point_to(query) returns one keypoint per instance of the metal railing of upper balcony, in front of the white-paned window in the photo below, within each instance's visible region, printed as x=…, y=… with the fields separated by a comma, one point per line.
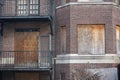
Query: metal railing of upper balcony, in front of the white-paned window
x=25, y=8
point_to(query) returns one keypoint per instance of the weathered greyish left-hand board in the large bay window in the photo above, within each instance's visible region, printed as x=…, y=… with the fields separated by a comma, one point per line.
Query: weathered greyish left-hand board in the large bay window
x=84, y=39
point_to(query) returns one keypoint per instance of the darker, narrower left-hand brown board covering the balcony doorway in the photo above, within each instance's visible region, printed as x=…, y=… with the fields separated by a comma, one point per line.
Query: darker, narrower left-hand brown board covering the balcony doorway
x=18, y=46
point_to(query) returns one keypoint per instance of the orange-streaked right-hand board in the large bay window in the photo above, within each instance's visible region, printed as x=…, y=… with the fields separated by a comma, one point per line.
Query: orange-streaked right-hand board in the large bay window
x=98, y=41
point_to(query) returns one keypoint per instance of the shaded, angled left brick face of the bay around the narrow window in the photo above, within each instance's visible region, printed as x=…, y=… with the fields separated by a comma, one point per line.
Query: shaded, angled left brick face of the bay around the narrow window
x=63, y=19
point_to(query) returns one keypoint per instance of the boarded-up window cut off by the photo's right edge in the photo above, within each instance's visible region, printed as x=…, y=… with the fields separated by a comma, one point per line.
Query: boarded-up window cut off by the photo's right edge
x=118, y=39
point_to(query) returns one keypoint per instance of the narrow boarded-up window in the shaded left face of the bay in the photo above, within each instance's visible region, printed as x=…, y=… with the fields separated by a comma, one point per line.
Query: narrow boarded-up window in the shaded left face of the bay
x=63, y=39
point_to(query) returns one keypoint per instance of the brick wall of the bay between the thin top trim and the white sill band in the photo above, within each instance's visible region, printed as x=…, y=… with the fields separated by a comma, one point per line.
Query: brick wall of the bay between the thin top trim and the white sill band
x=73, y=15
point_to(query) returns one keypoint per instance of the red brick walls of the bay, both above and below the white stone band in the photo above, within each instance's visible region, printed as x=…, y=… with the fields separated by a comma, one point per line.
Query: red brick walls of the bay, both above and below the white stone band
x=71, y=15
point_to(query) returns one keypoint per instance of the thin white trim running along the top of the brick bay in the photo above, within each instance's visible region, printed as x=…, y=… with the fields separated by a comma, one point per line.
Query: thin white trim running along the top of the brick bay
x=86, y=3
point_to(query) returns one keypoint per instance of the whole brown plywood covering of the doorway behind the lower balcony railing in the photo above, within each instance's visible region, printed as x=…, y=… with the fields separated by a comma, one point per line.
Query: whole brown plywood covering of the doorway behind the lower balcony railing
x=26, y=47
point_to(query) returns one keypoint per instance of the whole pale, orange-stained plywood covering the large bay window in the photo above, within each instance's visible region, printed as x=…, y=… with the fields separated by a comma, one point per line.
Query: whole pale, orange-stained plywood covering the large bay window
x=91, y=39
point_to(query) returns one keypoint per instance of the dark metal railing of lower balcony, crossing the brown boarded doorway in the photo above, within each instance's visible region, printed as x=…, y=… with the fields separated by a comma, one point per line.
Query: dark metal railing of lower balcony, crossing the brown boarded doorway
x=25, y=60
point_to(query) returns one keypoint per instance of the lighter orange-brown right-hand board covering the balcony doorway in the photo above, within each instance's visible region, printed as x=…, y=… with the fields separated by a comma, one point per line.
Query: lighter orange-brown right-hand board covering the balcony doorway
x=31, y=44
